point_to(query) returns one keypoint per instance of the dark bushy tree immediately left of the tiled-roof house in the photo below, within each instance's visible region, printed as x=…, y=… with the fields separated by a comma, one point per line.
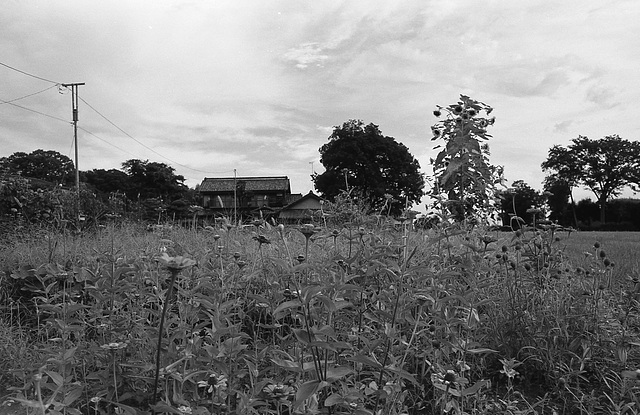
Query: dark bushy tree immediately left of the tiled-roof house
x=153, y=180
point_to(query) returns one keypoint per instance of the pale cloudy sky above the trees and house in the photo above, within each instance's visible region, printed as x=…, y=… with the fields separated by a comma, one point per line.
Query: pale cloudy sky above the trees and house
x=209, y=87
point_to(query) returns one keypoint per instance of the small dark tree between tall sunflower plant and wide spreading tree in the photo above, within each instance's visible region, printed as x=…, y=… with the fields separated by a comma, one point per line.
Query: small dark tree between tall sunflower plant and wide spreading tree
x=517, y=202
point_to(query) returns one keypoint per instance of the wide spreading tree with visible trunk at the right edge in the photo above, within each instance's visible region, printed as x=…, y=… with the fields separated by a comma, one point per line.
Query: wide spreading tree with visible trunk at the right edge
x=604, y=166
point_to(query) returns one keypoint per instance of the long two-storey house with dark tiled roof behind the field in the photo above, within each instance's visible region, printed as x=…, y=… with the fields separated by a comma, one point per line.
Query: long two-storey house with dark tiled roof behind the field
x=253, y=195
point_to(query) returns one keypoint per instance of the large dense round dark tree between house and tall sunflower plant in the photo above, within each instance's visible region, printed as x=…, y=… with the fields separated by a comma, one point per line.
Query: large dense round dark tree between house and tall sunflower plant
x=360, y=157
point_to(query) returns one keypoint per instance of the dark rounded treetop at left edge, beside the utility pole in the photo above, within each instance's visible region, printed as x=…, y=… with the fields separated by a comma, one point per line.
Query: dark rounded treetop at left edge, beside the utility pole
x=40, y=164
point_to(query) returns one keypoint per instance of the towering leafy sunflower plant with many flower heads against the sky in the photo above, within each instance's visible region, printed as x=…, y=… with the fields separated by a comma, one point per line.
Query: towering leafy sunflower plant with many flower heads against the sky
x=464, y=177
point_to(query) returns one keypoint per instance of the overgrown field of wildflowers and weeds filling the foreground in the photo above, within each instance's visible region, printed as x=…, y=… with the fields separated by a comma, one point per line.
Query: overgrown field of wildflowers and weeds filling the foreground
x=363, y=318
